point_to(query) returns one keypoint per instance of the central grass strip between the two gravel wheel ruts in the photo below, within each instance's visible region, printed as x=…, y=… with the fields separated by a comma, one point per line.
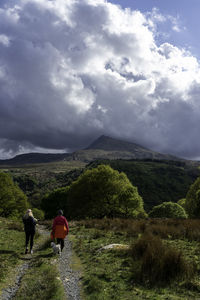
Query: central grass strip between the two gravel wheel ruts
x=42, y=280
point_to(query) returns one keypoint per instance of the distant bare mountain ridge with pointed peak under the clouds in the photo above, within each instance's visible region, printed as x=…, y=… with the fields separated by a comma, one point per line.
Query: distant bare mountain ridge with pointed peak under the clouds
x=103, y=148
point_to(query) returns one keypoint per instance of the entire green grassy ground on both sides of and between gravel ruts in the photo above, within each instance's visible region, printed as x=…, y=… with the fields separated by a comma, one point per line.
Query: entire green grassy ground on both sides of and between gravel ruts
x=154, y=259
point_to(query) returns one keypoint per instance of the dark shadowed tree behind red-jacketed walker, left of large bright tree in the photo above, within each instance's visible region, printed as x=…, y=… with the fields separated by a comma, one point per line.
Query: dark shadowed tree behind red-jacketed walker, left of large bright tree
x=54, y=201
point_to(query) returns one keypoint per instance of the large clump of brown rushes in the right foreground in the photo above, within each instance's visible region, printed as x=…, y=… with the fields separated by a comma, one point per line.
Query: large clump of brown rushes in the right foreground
x=157, y=264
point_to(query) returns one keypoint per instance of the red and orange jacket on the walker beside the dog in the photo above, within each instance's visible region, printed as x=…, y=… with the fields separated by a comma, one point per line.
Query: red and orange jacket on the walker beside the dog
x=60, y=227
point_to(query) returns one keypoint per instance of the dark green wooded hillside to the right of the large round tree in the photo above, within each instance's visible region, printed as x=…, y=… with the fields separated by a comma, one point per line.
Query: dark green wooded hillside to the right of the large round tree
x=157, y=181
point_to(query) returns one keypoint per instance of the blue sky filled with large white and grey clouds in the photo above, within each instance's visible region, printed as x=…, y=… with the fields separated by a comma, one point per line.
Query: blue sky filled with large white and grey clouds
x=72, y=70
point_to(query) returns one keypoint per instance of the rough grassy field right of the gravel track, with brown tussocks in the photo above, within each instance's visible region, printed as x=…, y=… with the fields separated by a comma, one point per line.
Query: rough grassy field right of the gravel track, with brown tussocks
x=122, y=273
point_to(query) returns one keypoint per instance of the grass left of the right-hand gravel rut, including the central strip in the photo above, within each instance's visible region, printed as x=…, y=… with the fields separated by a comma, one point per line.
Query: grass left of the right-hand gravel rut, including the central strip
x=41, y=281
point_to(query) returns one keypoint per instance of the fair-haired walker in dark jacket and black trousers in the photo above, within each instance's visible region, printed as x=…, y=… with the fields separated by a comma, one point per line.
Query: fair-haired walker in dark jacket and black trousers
x=29, y=228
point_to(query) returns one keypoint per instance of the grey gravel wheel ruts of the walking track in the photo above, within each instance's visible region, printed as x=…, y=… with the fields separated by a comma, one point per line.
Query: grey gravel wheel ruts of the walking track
x=70, y=277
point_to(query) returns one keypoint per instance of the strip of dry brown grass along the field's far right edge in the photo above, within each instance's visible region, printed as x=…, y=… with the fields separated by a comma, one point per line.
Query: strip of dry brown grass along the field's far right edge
x=164, y=228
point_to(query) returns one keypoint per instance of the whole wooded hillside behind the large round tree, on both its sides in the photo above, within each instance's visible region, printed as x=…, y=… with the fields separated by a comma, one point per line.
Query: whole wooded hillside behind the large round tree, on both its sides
x=157, y=181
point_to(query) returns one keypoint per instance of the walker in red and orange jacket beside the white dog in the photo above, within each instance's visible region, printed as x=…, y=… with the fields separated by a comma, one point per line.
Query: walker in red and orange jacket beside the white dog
x=60, y=229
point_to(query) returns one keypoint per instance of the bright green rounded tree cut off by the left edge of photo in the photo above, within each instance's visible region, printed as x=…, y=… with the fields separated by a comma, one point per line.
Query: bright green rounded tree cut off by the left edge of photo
x=13, y=201
